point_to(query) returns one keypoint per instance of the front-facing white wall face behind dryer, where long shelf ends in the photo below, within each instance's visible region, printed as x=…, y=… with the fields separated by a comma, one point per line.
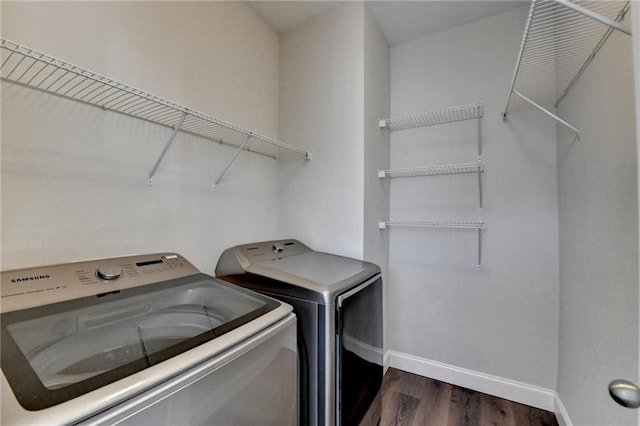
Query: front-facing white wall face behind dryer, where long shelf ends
x=321, y=105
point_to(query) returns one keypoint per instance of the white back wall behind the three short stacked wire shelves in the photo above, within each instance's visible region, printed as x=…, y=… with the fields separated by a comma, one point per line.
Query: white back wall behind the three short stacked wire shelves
x=498, y=324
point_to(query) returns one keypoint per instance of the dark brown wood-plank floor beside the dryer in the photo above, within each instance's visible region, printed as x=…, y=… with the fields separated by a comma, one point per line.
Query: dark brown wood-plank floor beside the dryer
x=409, y=399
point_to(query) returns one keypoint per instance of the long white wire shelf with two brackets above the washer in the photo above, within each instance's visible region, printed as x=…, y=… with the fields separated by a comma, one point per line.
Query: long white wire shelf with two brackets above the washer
x=29, y=68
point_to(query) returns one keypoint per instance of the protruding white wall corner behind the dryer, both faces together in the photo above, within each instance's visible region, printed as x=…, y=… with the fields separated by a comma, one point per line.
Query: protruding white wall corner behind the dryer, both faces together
x=334, y=89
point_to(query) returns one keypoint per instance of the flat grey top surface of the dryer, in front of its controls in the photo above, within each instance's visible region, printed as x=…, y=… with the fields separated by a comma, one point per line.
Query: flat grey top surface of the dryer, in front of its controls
x=323, y=275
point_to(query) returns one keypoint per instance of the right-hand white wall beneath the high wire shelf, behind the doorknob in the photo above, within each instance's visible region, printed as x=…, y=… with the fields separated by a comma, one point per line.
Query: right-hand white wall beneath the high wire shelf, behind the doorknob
x=598, y=189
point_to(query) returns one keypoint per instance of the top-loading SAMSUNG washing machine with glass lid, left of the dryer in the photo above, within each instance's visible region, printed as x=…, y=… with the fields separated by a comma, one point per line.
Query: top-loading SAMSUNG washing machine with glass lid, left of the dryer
x=143, y=340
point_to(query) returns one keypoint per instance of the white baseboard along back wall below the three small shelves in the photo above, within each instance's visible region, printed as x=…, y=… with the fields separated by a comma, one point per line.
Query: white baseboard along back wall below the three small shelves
x=523, y=393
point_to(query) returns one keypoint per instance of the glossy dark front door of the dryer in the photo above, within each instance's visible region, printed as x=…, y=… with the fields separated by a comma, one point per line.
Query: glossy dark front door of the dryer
x=359, y=350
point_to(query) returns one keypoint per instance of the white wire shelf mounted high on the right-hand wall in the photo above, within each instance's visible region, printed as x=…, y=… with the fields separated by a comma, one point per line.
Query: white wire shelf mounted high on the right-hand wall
x=560, y=39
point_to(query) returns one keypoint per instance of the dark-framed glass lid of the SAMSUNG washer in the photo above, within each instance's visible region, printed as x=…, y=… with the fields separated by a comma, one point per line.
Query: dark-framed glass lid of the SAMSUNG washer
x=53, y=353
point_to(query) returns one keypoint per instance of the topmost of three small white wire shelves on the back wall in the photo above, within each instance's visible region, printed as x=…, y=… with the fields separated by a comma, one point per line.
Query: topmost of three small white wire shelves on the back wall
x=431, y=118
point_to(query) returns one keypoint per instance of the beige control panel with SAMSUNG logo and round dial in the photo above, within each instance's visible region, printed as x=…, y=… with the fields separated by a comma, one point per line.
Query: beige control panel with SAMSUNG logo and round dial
x=26, y=288
